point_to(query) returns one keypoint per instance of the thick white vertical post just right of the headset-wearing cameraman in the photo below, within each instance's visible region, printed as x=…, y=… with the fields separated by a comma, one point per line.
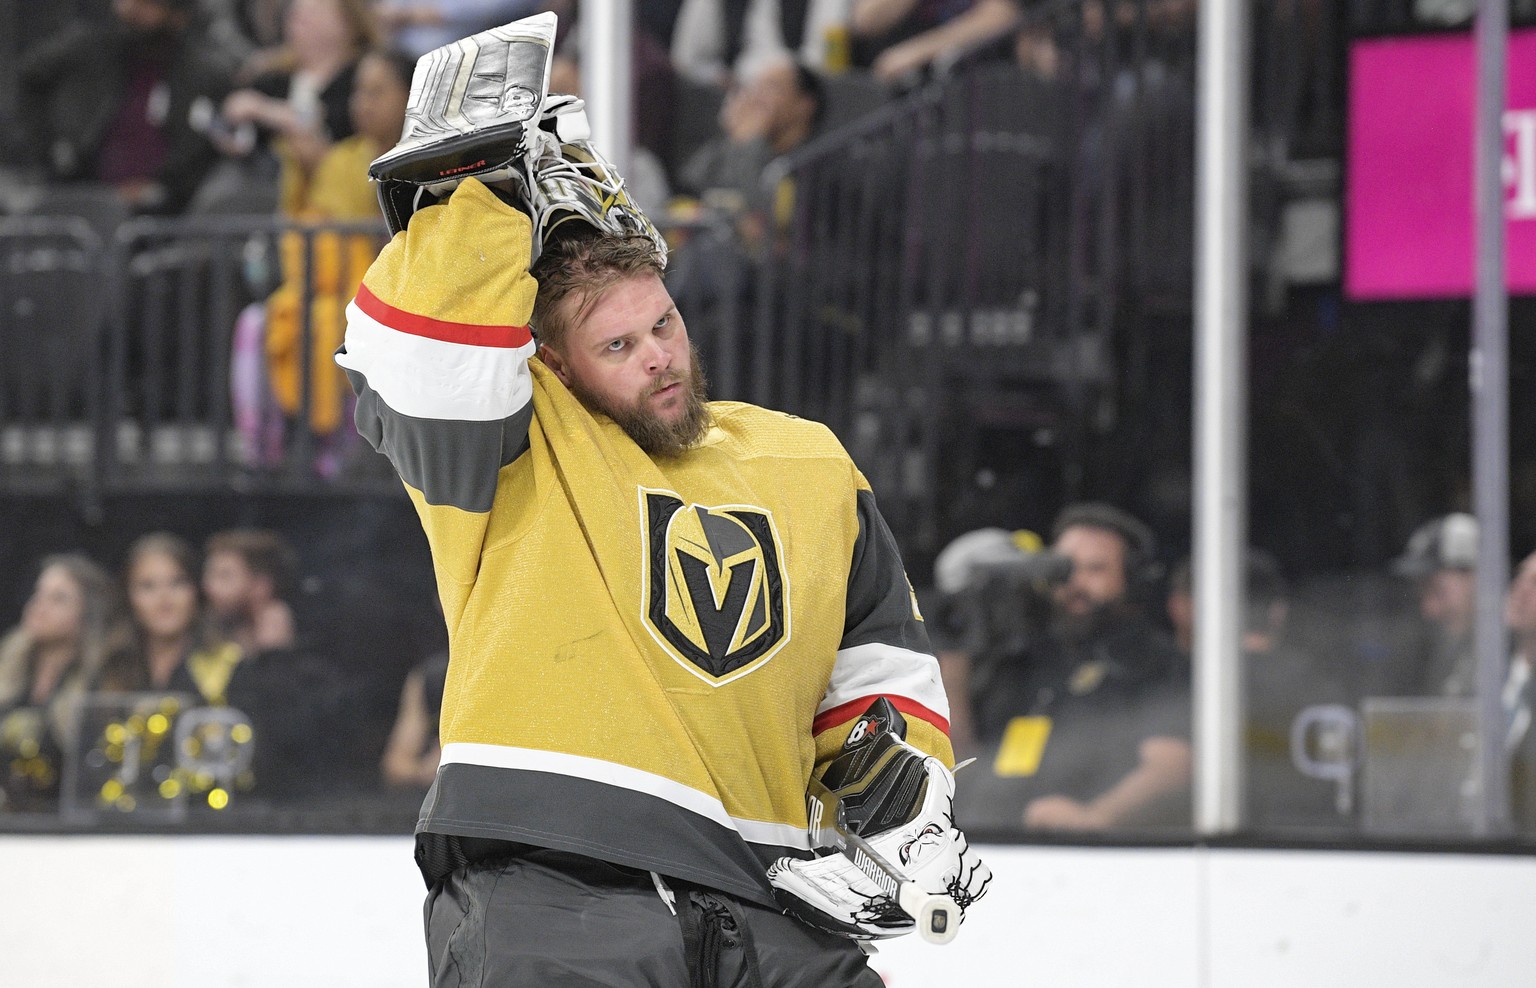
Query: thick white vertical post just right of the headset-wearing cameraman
x=1220, y=411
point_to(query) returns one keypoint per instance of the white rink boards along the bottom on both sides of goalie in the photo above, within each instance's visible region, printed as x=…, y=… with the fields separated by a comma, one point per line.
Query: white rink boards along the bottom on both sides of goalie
x=84, y=912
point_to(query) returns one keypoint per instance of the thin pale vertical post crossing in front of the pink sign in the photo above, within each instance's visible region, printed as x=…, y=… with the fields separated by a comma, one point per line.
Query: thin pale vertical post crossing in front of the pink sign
x=1491, y=419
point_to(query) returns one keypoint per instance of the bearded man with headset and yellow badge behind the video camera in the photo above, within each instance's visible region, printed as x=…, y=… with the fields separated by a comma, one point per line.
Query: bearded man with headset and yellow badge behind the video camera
x=1082, y=709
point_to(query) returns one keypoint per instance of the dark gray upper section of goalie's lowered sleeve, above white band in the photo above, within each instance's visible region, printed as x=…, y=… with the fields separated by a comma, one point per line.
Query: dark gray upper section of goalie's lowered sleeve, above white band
x=879, y=606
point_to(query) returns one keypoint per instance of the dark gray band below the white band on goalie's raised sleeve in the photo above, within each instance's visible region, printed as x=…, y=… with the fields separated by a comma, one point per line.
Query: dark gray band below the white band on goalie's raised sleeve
x=452, y=463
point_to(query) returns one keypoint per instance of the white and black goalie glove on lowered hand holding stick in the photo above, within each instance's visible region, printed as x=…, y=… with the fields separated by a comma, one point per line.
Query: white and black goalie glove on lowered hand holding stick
x=902, y=803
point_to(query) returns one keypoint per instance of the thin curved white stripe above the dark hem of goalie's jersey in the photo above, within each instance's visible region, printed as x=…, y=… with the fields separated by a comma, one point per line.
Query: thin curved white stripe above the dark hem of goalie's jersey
x=624, y=777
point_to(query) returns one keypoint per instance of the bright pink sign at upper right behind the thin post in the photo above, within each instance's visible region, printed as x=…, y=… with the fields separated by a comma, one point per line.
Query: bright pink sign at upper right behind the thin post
x=1411, y=230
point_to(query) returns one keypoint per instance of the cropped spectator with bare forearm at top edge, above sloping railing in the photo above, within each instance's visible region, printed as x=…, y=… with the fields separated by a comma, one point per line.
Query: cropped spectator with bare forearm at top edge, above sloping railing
x=901, y=39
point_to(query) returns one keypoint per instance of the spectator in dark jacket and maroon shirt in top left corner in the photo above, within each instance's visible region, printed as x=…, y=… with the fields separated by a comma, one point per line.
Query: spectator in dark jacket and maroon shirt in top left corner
x=125, y=104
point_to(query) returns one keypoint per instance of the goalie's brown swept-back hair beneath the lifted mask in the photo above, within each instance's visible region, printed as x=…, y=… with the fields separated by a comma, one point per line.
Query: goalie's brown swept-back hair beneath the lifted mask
x=575, y=273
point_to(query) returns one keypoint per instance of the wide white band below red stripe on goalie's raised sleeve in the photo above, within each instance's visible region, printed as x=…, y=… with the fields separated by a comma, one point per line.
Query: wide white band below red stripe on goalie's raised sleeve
x=431, y=379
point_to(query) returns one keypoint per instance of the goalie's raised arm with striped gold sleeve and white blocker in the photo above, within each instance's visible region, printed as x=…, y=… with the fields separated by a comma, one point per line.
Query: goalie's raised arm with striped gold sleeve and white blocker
x=439, y=337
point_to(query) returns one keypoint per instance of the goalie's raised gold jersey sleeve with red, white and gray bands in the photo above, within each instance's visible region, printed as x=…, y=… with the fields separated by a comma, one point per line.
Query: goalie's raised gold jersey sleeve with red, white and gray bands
x=437, y=351
